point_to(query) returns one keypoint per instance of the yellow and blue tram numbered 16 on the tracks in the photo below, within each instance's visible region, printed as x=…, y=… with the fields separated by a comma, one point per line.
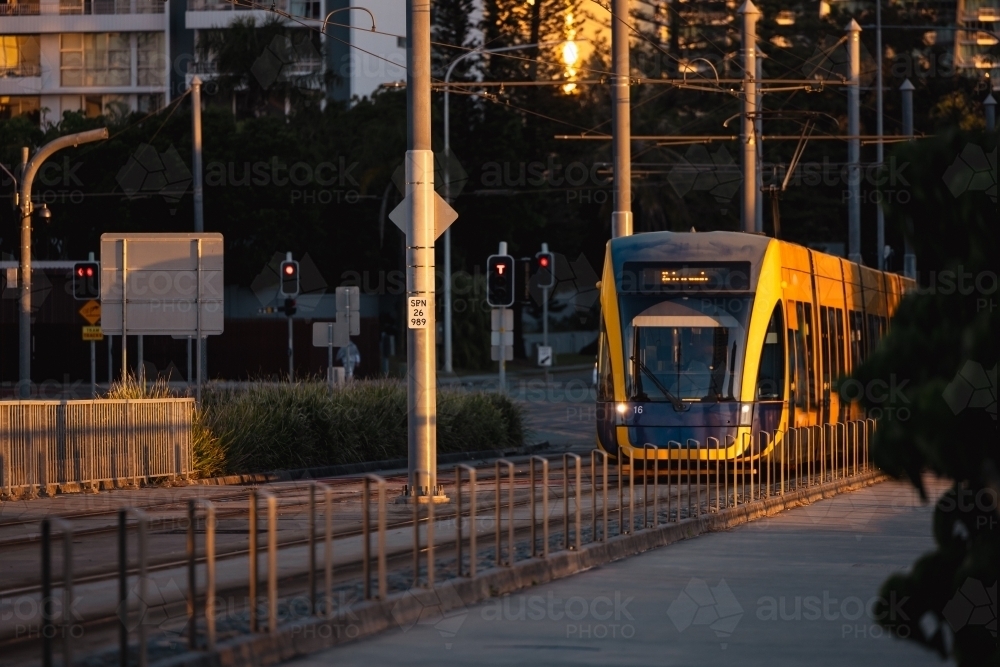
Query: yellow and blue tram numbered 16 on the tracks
x=710, y=338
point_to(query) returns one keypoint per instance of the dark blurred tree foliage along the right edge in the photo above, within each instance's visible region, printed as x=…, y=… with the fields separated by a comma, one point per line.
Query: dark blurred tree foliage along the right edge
x=941, y=356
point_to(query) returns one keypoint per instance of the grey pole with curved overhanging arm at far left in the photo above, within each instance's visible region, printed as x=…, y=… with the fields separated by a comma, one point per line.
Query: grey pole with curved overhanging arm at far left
x=28, y=172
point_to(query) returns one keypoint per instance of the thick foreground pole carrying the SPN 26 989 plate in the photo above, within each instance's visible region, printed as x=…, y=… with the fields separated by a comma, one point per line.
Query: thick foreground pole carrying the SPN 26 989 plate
x=421, y=376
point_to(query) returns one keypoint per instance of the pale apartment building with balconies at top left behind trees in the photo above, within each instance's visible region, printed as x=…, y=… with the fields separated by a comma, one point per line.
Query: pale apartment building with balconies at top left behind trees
x=116, y=56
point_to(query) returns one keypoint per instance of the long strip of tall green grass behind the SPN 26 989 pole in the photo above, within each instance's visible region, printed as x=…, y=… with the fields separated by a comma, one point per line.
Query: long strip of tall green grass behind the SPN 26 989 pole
x=265, y=426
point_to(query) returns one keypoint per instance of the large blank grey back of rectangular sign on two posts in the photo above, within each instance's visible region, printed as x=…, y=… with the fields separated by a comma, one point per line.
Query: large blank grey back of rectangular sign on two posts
x=162, y=284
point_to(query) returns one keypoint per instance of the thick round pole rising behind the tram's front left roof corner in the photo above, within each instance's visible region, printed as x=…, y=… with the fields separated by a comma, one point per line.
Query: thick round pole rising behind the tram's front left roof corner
x=621, y=217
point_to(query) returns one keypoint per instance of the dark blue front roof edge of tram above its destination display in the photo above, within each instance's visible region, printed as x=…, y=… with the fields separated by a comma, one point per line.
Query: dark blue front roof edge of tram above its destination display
x=690, y=246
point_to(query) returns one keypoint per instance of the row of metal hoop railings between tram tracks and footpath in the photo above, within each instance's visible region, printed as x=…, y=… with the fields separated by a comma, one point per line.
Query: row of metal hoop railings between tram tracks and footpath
x=695, y=481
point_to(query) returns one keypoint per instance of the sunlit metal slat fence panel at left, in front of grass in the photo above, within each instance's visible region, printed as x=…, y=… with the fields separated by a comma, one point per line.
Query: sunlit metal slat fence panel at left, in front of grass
x=50, y=443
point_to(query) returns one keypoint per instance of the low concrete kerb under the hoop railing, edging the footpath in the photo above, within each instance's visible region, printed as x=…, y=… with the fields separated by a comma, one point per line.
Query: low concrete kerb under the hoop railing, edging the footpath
x=400, y=609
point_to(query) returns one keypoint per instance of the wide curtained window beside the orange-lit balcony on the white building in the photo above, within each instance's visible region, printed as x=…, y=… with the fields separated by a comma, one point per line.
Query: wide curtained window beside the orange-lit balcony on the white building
x=95, y=59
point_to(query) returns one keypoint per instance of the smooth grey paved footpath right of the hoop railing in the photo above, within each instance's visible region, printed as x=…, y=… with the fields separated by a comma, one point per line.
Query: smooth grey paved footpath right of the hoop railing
x=795, y=589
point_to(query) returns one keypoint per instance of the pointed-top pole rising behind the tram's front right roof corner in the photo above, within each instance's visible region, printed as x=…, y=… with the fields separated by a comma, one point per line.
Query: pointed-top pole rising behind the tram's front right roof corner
x=748, y=212
